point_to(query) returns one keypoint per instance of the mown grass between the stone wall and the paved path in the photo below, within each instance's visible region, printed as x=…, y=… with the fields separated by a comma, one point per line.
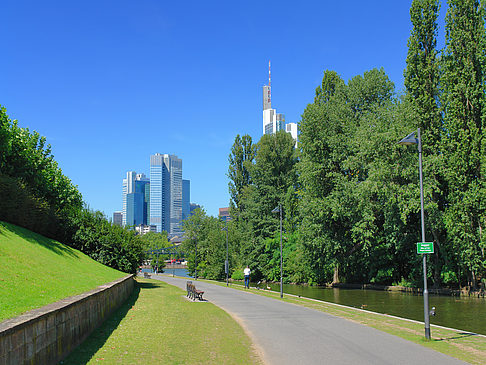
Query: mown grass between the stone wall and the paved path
x=158, y=325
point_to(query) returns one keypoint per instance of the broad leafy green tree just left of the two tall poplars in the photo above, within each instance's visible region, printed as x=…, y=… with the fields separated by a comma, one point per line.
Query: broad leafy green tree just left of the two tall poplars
x=347, y=139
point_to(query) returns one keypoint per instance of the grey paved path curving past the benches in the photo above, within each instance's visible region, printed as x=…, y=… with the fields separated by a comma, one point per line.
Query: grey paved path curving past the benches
x=292, y=334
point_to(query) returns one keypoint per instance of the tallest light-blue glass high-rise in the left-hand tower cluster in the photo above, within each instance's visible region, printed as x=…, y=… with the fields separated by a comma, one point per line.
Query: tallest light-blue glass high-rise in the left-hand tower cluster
x=166, y=193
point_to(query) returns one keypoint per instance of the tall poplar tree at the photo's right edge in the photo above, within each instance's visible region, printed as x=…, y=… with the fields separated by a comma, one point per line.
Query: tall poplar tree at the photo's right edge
x=463, y=143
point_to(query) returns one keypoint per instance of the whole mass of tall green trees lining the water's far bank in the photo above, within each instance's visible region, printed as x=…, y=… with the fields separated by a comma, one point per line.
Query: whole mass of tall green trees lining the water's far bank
x=350, y=193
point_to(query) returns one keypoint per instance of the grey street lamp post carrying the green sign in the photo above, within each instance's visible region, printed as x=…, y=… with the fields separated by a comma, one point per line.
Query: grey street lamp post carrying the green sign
x=408, y=140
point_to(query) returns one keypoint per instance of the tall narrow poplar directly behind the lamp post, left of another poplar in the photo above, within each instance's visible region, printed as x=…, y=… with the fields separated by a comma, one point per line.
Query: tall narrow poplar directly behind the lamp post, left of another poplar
x=422, y=83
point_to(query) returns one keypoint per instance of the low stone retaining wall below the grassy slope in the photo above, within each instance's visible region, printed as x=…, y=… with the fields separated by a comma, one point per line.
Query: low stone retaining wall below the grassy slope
x=47, y=335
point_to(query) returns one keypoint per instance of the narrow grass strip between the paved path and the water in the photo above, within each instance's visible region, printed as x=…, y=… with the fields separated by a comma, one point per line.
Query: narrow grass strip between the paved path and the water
x=456, y=343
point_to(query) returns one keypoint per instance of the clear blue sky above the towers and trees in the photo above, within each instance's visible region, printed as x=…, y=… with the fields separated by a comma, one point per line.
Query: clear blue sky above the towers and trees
x=111, y=82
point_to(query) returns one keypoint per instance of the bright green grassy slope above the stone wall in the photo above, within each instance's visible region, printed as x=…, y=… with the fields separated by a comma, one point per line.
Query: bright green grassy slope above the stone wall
x=35, y=271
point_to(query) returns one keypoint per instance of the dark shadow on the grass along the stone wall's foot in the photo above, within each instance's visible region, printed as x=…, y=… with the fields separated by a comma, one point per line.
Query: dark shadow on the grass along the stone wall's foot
x=85, y=352
